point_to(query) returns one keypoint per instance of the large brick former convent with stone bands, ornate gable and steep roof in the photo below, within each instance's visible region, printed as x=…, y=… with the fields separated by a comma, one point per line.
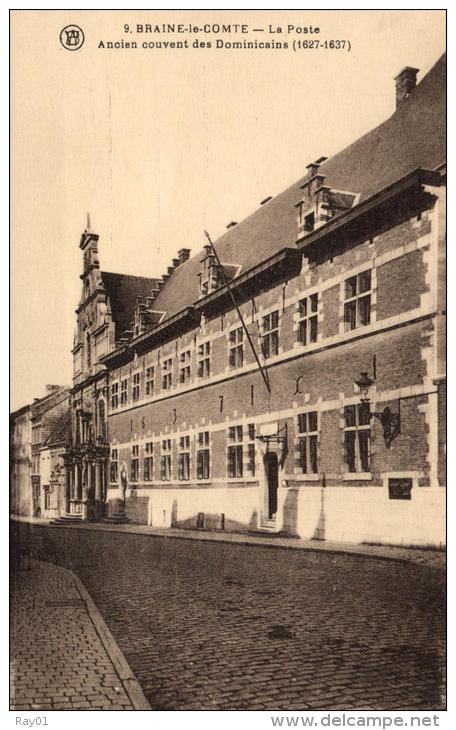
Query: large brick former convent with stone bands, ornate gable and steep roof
x=336, y=287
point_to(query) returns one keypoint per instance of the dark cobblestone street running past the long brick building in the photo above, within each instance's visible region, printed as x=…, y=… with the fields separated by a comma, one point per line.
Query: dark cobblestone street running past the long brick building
x=208, y=625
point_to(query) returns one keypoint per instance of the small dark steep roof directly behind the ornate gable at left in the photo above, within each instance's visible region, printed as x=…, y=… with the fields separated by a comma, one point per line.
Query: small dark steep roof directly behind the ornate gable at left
x=122, y=291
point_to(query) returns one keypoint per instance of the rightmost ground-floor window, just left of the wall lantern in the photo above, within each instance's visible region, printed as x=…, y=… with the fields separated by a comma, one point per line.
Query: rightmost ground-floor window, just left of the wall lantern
x=357, y=437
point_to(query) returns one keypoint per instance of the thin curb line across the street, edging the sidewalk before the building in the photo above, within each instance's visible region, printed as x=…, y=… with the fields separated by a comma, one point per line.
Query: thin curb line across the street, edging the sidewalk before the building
x=404, y=560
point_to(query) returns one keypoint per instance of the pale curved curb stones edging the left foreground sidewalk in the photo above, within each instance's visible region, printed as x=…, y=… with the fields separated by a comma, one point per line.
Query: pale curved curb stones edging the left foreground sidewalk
x=130, y=683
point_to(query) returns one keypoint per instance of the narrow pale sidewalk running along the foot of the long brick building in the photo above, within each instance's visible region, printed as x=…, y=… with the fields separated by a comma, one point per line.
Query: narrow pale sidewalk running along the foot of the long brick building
x=421, y=556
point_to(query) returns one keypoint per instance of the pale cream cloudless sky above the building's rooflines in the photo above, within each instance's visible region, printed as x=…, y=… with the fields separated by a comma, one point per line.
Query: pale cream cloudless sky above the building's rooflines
x=161, y=144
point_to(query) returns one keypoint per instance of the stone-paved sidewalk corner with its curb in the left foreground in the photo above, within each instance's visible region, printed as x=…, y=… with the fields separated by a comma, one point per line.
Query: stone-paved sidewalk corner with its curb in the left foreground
x=63, y=656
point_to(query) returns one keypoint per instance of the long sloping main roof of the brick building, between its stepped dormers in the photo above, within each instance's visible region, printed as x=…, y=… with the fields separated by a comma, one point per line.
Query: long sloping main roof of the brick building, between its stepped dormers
x=414, y=136
